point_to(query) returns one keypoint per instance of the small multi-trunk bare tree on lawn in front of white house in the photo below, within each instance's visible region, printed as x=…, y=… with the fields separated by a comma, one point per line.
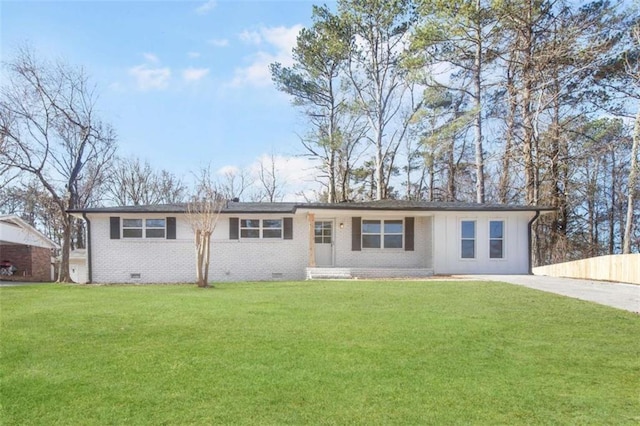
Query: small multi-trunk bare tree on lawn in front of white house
x=203, y=212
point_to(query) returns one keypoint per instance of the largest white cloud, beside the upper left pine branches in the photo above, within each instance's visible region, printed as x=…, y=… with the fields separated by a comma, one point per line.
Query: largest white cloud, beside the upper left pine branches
x=277, y=46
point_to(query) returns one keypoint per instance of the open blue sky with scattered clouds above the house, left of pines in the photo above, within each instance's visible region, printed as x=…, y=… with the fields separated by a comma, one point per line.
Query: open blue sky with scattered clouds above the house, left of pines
x=184, y=83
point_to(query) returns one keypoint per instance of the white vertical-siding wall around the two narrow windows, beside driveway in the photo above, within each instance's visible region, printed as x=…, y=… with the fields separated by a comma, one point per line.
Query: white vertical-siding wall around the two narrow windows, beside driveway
x=447, y=243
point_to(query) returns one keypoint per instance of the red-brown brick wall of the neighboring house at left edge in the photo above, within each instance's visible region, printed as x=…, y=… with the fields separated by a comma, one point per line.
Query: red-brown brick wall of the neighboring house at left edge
x=33, y=263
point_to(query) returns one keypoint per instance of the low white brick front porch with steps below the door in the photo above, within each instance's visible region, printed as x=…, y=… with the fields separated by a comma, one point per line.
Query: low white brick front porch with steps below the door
x=325, y=273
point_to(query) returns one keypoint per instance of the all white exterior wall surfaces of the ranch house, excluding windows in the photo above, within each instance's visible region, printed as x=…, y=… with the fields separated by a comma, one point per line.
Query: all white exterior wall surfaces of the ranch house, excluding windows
x=436, y=246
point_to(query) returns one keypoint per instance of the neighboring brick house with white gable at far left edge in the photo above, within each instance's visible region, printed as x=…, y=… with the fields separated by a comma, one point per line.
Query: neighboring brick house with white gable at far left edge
x=25, y=251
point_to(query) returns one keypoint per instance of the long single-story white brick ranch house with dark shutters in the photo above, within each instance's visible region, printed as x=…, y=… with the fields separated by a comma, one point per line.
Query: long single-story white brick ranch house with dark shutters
x=293, y=241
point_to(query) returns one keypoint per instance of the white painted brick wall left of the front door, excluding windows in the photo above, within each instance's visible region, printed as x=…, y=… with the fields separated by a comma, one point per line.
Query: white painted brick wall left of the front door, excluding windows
x=140, y=260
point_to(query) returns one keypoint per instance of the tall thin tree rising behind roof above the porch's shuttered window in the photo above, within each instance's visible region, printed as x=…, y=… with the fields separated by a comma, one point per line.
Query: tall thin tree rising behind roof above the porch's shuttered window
x=380, y=32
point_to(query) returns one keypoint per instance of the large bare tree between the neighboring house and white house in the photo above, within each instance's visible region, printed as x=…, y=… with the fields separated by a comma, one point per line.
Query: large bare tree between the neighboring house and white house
x=49, y=129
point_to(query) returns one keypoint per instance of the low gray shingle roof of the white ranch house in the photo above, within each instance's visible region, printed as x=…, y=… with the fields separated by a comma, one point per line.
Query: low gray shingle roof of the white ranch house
x=382, y=205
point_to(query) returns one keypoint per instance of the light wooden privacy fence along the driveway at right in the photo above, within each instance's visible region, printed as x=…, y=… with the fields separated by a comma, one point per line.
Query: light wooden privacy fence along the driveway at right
x=620, y=267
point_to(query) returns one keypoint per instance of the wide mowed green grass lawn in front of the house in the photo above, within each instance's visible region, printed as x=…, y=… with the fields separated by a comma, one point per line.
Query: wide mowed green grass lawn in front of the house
x=358, y=352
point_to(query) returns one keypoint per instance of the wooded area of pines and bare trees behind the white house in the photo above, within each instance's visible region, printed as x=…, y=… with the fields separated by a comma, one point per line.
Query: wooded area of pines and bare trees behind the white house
x=506, y=101
